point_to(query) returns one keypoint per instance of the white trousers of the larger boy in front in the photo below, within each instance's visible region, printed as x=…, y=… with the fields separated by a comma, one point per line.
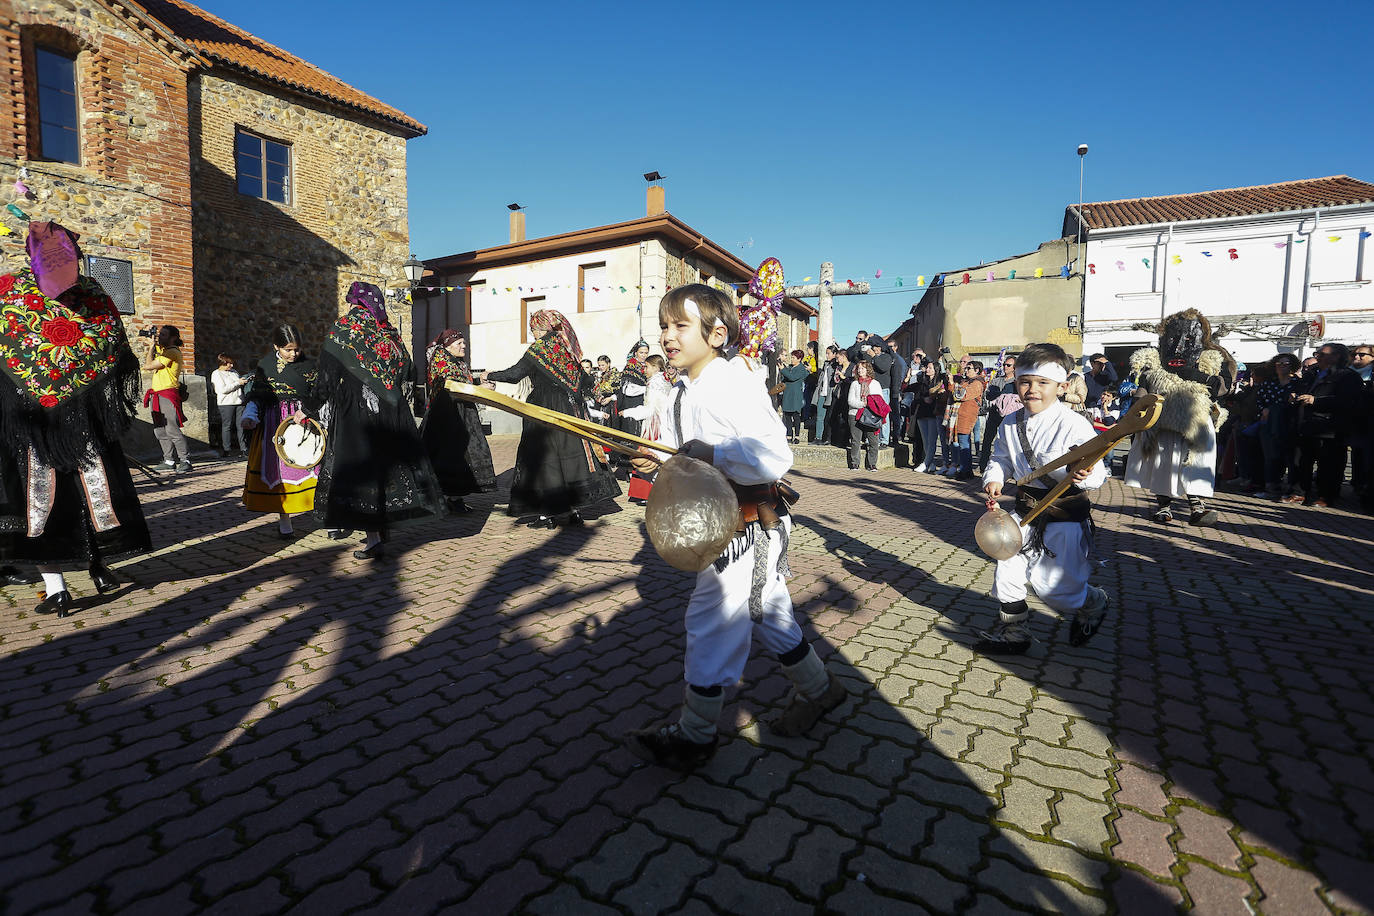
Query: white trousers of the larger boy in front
x=719, y=628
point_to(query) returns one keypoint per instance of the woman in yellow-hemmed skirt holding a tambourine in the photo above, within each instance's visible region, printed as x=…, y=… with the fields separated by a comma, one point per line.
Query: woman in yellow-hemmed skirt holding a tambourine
x=284, y=387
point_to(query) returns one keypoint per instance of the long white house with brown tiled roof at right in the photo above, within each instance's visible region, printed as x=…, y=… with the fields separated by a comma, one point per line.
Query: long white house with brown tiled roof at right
x=1284, y=267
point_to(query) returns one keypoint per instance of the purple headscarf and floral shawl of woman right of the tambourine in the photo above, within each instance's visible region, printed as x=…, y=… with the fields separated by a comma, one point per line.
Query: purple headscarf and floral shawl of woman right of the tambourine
x=366, y=345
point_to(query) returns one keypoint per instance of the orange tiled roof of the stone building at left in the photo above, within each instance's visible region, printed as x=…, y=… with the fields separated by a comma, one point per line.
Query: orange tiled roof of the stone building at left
x=233, y=47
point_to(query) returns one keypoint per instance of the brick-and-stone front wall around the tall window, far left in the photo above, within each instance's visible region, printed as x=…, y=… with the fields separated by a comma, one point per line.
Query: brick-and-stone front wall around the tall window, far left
x=130, y=197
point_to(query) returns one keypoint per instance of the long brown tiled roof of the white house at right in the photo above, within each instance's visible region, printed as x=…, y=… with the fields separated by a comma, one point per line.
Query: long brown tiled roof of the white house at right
x=1181, y=208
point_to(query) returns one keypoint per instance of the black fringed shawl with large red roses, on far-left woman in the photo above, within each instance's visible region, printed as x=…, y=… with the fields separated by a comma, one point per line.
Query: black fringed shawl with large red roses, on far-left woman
x=69, y=367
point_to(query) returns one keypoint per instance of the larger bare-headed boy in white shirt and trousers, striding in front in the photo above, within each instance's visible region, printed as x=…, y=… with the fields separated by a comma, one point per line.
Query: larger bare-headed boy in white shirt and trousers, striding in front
x=721, y=414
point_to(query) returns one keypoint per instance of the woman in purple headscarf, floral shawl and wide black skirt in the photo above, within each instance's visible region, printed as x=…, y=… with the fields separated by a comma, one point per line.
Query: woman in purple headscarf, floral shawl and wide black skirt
x=376, y=473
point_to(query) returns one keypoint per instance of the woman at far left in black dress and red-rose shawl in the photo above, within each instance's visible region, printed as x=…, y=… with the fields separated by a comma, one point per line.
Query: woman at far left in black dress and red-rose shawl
x=68, y=387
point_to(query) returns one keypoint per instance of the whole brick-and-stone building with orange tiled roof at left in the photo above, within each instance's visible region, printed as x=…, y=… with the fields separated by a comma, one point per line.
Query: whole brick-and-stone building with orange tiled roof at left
x=227, y=185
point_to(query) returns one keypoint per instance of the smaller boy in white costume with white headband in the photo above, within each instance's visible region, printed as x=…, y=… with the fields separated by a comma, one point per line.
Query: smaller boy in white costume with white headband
x=1055, y=560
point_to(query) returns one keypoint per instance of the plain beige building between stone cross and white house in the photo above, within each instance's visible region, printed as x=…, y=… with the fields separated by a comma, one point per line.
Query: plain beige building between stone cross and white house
x=980, y=317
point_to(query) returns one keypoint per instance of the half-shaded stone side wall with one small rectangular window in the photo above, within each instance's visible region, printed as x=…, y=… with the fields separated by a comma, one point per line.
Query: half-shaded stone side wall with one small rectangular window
x=262, y=264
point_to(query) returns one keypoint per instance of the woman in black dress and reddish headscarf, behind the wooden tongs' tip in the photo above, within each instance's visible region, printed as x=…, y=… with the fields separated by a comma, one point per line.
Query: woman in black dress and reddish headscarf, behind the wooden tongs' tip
x=453, y=429
